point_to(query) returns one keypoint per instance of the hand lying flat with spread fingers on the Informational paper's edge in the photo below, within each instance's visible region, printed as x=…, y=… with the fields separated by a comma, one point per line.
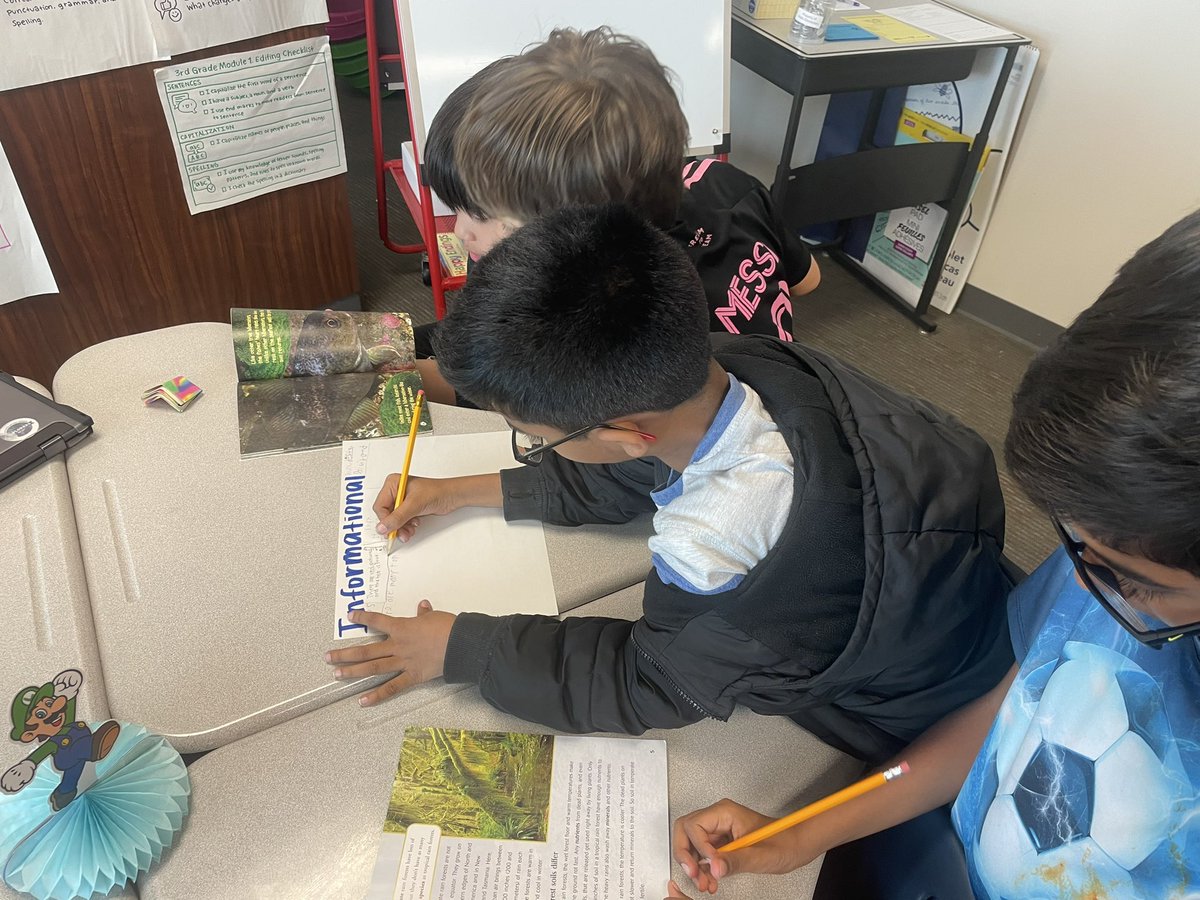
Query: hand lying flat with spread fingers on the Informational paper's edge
x=413, y=647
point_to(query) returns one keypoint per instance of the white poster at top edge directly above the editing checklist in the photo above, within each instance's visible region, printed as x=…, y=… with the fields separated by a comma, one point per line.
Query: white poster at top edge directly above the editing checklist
x=184, y=26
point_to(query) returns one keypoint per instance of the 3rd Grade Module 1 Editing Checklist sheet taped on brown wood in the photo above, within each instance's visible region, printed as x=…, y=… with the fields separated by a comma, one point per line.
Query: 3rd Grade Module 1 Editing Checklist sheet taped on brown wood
x=253, y=123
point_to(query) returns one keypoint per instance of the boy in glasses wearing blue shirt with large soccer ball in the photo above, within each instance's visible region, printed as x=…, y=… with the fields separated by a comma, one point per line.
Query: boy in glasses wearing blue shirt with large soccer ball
x=1079, y=776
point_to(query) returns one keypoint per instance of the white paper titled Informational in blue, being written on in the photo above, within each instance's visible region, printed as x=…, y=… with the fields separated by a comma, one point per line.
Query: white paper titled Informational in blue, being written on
x=471, y=561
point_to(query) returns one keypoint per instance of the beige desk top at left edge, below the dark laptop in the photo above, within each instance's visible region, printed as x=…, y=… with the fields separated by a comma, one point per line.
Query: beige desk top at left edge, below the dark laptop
x=47, y=620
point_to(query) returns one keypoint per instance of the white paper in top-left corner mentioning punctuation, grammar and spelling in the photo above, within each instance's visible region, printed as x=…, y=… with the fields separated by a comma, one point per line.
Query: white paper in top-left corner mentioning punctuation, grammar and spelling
x=47, y=40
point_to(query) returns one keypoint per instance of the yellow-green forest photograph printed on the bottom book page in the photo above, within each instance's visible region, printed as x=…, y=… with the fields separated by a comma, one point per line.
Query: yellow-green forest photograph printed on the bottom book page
x=473, y=784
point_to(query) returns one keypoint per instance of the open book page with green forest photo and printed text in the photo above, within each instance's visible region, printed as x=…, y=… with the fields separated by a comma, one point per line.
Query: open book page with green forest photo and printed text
x=478, y=815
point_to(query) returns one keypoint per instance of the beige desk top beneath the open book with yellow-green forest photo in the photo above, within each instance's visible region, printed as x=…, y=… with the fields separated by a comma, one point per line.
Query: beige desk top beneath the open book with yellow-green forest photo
x=297, y=811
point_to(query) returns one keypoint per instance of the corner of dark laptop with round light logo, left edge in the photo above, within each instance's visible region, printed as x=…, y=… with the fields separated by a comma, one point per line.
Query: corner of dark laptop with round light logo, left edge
x=33, y=429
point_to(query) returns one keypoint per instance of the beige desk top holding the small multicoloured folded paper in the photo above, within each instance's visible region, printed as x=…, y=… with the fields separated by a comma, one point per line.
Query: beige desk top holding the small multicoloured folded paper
x=212, y=578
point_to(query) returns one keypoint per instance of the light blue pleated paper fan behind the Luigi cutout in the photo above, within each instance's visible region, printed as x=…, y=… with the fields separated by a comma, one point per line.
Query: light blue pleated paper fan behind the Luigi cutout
x=110, y=835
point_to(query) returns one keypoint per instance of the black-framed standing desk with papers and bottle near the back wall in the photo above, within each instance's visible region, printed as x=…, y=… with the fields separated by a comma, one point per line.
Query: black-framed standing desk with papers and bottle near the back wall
x=874, y=178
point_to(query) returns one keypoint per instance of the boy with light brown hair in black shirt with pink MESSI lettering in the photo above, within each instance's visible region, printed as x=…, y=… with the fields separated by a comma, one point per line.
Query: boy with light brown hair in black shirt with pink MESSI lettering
x=592, y=118
